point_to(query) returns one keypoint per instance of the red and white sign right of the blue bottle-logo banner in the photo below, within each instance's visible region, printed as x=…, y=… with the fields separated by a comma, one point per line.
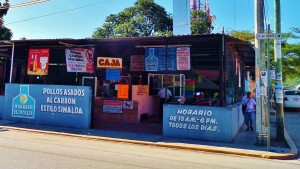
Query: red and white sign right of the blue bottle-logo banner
x=183, y=58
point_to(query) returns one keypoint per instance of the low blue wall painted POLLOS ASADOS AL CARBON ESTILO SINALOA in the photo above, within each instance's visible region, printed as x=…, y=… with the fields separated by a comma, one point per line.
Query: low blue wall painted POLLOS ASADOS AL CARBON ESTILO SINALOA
x=55, y=105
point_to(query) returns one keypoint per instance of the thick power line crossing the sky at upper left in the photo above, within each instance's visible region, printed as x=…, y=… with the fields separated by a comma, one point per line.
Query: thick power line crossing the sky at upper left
x=55, y=13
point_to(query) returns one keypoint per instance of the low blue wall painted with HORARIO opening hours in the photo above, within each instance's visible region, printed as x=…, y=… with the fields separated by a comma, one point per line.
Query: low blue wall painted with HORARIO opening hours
x=201, y=122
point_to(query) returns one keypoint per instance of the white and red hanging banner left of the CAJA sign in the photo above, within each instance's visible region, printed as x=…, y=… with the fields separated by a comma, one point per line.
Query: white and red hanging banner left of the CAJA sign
x=80, y=60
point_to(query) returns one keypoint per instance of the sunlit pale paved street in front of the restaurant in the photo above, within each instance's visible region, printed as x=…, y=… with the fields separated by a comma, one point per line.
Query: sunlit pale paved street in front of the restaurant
x=21, y=149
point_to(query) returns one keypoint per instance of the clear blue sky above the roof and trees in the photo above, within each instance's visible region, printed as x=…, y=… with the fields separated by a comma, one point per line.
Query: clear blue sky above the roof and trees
x=78, y=19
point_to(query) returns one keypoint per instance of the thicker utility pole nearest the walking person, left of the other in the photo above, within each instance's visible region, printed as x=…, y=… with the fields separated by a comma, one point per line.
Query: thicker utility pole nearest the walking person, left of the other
x=261, y=91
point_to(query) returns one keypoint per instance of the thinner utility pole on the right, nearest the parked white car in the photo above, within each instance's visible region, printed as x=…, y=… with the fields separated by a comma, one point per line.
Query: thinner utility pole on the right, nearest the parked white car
x=278, y=70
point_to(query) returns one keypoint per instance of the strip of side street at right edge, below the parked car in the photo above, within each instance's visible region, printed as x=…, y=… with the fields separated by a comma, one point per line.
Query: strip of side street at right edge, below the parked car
x=292, y=124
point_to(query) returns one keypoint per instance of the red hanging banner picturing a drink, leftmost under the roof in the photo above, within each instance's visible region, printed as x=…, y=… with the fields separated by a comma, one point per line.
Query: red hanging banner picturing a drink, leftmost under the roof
x=38, y=62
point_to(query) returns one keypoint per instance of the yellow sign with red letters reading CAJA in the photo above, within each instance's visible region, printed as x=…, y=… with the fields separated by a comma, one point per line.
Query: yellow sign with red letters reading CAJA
x=105, y=62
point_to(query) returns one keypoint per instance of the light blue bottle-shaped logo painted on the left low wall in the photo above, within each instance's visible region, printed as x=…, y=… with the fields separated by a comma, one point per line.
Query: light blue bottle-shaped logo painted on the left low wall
x=23, y=105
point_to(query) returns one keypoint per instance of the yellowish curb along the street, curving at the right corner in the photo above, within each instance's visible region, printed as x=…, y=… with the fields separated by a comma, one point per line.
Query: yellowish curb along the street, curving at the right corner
x=212, y=149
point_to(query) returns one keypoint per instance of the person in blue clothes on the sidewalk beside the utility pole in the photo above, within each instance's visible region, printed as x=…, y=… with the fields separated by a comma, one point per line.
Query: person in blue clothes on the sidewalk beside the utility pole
x=249, y=113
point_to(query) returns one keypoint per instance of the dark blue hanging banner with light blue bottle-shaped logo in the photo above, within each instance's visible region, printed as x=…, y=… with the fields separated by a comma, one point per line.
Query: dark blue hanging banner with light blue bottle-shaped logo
x=156, y=59
